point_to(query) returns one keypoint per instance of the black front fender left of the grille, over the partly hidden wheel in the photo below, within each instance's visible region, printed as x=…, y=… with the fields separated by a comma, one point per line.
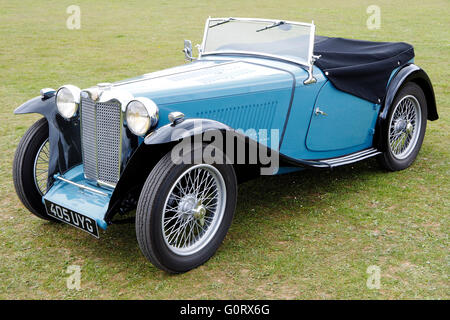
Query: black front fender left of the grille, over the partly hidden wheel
x=64, y=135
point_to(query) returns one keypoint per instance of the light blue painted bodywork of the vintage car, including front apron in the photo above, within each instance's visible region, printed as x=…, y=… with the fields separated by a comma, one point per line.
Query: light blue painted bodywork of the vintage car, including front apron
x=243, y=93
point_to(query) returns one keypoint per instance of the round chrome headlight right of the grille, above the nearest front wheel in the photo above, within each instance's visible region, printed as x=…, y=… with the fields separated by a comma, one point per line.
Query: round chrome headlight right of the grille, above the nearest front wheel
x=142, y=114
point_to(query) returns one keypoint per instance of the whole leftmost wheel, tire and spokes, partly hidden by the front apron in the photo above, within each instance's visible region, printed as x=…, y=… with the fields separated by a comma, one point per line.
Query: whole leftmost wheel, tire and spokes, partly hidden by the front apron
x=30, y=168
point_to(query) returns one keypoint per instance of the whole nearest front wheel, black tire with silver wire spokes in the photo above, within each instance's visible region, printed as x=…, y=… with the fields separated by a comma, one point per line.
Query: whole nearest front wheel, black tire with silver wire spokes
x=184, y=213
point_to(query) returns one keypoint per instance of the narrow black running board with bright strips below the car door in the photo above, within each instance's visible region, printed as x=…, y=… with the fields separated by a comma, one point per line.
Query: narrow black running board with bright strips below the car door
x=335, y=162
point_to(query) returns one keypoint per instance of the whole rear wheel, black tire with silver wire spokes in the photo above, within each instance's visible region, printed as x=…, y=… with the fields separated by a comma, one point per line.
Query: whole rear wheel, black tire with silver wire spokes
x=406, y=127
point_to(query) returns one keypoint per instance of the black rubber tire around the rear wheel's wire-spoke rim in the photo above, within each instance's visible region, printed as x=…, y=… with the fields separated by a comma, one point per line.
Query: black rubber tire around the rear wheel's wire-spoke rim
x=388, y=159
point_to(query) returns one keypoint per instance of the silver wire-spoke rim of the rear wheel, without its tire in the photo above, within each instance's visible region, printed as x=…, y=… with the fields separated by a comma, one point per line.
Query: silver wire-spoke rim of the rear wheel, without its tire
x=404, y=127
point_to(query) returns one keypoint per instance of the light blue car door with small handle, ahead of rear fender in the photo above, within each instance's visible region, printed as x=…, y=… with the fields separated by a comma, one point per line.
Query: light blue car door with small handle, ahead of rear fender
x=341, y=121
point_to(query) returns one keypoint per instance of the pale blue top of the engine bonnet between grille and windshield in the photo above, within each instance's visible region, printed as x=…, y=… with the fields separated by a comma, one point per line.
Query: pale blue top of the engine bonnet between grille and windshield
x=223, y=79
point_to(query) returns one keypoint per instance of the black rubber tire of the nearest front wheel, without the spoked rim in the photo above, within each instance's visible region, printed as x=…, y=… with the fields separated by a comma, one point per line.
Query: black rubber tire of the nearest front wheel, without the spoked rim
x=149, y=215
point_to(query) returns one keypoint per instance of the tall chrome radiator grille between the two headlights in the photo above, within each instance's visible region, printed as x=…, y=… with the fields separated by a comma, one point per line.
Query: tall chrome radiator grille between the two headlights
x=101, y=136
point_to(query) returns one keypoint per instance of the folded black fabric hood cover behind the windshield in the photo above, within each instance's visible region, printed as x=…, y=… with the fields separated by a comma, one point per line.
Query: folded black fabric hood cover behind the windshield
x=361, y=68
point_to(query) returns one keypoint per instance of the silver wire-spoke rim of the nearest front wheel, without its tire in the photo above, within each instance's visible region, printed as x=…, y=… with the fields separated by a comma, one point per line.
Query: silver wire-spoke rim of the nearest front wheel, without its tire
x=193, y=209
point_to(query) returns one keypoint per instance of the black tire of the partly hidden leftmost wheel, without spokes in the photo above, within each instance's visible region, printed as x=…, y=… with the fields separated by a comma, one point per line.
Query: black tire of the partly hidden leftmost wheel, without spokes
x=23, y=168
